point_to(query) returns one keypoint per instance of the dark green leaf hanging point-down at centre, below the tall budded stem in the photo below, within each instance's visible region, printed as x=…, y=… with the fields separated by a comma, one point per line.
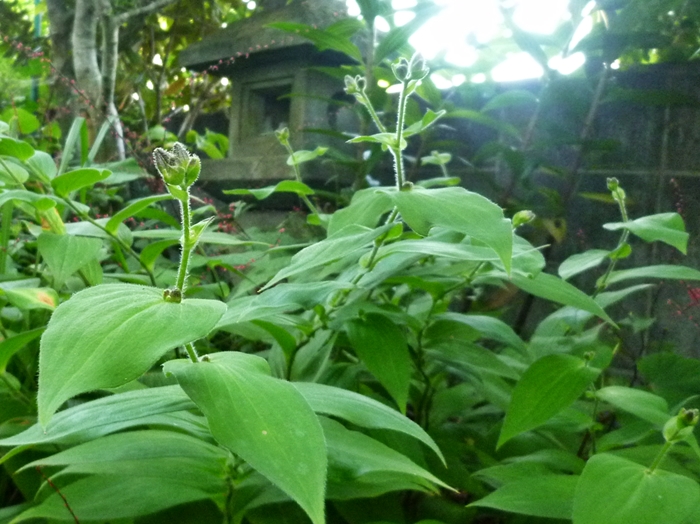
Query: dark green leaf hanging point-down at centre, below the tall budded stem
x=382, y=346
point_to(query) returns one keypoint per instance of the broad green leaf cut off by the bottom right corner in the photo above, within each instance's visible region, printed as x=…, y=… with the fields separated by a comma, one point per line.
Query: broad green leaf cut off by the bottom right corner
x=614, y=490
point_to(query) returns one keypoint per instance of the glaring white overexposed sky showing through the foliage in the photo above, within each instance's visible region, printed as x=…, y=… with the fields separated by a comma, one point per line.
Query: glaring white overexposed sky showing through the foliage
x=463, y=25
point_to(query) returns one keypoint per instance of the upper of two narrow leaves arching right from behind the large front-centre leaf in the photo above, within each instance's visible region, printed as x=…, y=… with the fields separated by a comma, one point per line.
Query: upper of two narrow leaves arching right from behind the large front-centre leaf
x=361, y=411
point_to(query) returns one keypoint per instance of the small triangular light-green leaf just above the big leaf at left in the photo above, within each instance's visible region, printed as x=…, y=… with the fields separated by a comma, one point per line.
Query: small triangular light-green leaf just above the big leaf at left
x=66, y=254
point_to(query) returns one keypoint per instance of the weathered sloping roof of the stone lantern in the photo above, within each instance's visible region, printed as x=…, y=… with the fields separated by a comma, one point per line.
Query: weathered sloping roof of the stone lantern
x=229, y=49
